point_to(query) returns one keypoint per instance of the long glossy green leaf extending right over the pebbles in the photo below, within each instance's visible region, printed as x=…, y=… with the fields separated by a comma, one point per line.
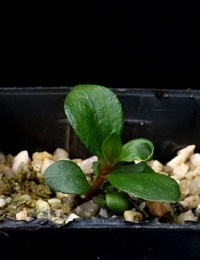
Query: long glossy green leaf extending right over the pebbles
x=147, y=185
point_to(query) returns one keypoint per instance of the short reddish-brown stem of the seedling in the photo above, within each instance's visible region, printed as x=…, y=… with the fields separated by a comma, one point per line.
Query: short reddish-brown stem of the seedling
x=97, y=183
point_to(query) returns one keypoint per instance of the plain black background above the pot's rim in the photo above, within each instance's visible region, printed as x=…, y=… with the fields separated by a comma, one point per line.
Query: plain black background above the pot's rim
x=114, y=43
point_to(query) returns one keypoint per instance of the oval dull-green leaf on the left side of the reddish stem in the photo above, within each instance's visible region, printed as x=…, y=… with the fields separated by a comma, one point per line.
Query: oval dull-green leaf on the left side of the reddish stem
x=67, y=177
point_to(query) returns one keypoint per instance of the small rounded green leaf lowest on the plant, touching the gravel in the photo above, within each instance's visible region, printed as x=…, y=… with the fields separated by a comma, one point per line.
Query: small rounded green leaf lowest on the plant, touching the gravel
x=117, y=201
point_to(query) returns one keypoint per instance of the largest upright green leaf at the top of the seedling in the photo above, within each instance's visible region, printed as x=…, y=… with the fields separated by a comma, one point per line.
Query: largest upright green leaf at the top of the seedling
x=94, y=112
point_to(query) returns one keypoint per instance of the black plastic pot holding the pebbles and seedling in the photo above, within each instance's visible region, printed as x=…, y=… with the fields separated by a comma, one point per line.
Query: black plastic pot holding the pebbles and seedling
x=33, y=119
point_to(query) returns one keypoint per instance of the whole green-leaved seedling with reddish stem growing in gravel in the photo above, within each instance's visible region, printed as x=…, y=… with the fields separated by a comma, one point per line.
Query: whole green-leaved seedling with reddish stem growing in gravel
x=95, y=114
